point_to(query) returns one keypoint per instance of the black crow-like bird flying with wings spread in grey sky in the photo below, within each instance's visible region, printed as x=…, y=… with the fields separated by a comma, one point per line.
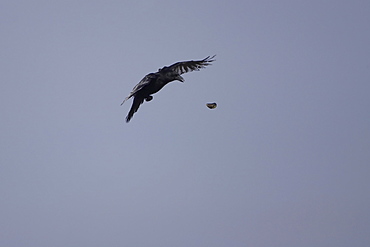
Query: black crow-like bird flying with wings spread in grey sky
x=154, y=82
